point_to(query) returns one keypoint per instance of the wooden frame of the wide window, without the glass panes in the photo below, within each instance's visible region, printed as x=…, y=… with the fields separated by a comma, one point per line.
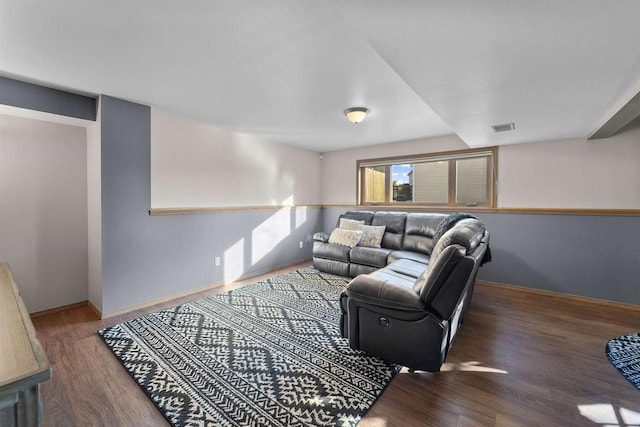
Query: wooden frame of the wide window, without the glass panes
x=450, y=156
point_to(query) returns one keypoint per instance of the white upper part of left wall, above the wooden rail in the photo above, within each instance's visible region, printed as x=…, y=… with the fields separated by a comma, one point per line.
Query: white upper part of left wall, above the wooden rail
x=198, y=165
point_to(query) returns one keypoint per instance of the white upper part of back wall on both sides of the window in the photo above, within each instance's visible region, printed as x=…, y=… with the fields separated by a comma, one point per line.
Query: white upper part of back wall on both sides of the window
x=572, y=173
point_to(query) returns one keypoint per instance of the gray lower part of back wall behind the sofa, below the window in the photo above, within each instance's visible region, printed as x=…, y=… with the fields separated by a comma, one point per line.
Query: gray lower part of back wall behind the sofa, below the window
x=591, y=256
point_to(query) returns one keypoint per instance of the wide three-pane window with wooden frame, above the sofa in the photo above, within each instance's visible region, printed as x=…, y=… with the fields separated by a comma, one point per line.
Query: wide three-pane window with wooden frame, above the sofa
x=460, y=178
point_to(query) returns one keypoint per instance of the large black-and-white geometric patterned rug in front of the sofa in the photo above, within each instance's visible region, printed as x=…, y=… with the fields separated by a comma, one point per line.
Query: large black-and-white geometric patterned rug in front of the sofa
x=268, y=354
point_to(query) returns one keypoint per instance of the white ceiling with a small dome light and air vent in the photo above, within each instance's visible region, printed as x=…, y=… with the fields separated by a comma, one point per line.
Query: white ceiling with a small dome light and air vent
x=286, y=70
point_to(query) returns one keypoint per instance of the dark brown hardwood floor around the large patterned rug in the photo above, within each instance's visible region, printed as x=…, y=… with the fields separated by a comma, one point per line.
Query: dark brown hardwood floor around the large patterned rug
x=520, y=359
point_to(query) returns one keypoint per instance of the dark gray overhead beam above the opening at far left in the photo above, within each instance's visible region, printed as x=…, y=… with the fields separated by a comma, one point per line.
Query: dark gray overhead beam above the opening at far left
x=40, y=98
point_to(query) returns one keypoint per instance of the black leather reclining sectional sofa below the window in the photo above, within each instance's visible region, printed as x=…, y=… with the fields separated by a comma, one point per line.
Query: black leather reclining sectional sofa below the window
x=409, y=296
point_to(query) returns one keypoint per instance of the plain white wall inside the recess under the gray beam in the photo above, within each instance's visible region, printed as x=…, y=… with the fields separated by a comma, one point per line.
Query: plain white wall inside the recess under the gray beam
x=43, y=210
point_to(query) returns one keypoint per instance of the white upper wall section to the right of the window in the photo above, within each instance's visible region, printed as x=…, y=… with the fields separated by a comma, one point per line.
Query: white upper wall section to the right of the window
x=572, y=173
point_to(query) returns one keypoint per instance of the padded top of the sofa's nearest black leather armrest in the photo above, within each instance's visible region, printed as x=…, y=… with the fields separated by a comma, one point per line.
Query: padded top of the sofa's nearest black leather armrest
x=386, y=290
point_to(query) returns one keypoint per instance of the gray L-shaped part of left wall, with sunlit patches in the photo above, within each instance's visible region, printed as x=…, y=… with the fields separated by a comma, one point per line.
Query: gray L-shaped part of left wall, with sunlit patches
x=148, y=257
